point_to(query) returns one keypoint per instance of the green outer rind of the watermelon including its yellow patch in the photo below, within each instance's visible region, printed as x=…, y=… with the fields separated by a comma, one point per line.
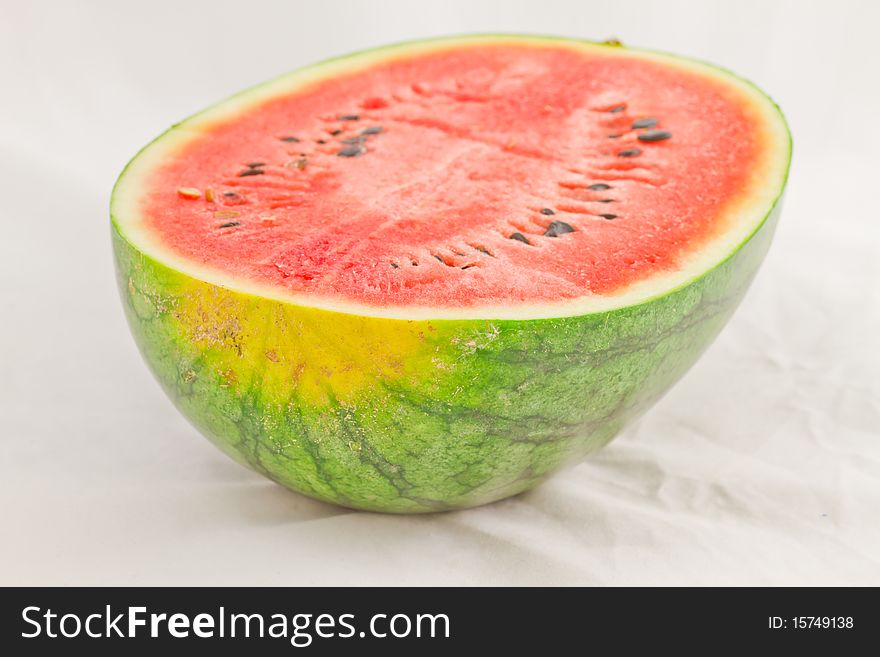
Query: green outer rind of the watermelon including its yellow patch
x=468, y=412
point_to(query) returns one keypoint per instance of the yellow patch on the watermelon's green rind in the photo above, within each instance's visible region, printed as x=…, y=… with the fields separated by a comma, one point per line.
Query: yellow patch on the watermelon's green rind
x=287, y=350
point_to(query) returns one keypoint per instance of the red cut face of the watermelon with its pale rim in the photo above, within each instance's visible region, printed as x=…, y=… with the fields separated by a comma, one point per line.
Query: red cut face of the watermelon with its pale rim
x=480, y=177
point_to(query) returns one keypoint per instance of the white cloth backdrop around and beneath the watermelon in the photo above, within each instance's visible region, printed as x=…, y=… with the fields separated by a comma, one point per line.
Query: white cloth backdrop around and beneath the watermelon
x=761, y=467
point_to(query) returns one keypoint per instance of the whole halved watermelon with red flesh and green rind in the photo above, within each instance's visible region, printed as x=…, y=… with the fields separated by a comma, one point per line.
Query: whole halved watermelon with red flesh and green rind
x=427, y=276
